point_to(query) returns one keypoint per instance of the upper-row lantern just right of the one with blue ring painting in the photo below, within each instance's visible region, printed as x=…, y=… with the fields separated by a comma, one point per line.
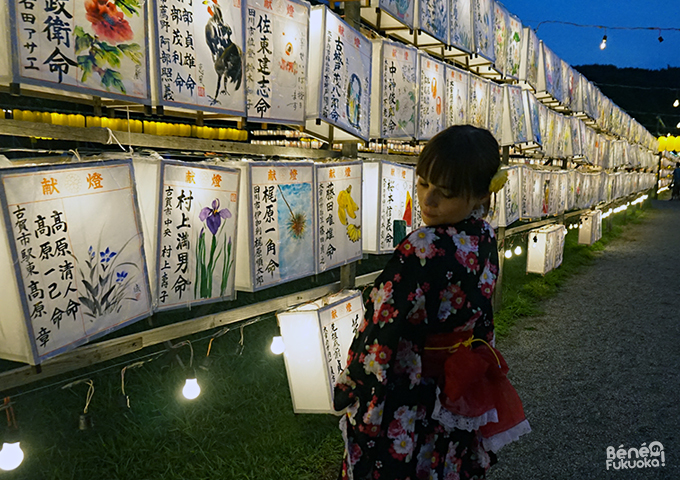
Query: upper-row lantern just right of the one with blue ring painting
x=395, y=87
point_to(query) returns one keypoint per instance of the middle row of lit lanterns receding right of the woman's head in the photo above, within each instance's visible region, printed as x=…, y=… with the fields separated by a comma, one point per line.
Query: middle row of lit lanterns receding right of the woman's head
x=532, y=193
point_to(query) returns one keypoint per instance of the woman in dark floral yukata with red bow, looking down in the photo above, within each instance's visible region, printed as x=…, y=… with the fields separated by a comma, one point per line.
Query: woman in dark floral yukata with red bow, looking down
x=434, y=294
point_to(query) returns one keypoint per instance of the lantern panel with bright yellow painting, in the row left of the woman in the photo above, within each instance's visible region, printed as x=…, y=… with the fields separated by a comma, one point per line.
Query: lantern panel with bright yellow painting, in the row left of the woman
x=339, y=205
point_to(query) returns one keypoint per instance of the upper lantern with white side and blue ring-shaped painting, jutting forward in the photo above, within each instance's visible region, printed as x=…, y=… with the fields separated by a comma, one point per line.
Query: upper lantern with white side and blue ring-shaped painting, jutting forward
x=339, y=81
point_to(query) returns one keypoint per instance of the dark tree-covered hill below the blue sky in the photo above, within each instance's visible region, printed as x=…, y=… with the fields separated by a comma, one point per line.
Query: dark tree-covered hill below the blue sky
x=649, y=105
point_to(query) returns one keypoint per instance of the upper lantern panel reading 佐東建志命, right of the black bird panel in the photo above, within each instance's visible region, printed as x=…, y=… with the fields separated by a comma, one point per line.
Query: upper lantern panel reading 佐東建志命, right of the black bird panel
x=277, y=43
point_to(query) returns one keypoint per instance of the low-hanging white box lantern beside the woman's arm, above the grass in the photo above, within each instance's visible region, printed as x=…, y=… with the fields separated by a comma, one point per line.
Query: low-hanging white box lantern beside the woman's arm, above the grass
x=317, y=337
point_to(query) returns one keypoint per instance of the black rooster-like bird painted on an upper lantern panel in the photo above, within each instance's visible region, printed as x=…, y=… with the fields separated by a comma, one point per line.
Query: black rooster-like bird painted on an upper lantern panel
x=226, y=54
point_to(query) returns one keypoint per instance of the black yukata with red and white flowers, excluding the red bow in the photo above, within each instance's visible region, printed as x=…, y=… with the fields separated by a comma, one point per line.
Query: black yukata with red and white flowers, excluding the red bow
x=440, y=280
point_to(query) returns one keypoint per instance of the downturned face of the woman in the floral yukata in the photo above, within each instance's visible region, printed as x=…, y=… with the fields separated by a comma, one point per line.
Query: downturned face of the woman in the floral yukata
x=439, y=206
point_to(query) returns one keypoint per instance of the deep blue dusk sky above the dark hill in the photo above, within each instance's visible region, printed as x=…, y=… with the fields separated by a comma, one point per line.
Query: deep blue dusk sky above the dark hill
x=625, y=48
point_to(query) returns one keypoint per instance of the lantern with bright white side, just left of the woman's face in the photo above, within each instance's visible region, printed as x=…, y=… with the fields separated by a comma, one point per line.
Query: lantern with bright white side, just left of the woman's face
x=388, y=205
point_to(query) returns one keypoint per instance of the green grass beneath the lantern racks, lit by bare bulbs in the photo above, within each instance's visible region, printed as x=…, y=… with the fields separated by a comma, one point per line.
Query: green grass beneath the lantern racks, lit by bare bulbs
x=242, y=427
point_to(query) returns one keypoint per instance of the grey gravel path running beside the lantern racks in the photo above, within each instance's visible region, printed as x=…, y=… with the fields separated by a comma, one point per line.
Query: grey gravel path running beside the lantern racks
x=601, y=367
